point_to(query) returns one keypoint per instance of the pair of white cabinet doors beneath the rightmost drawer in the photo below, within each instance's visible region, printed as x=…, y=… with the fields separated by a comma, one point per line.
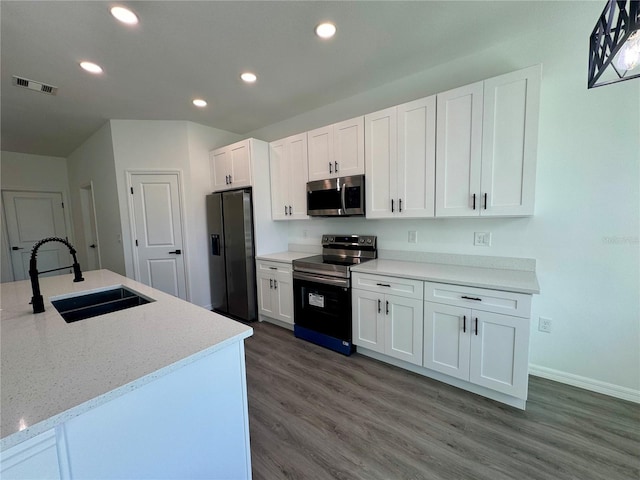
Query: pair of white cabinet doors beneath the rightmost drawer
x=484, y=348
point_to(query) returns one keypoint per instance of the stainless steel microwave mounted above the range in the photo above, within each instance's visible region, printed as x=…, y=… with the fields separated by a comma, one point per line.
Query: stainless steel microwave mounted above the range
x=336, y=197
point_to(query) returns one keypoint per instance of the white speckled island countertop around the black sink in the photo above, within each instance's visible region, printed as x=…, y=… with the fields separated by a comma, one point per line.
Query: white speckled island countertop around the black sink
x=53, y=371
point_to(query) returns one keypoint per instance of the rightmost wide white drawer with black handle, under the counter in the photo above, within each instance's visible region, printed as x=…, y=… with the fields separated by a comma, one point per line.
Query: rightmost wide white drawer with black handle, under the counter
x=517, y=304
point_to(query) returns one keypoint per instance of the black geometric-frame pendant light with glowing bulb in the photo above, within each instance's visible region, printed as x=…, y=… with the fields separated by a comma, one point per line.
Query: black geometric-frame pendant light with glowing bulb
x=614, y=45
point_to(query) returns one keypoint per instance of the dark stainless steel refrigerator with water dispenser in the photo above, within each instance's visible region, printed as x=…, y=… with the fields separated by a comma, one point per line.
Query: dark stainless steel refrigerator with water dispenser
x=231, y=254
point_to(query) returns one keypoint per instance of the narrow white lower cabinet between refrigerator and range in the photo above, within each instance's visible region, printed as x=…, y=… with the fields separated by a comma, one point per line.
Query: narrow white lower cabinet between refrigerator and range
x=275, y=291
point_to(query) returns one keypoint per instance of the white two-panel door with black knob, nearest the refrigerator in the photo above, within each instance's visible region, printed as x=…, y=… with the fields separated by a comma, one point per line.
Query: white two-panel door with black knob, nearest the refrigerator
x=157, y=227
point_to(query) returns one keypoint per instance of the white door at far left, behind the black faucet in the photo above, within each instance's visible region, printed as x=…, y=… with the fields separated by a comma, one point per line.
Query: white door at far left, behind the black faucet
x=31, y=217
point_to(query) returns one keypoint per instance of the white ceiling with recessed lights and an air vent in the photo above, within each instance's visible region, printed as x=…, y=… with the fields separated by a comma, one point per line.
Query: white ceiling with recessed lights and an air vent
x=184, y=49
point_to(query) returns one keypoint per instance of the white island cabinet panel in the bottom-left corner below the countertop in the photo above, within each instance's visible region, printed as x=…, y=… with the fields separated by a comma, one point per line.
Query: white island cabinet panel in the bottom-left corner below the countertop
x=34, y=458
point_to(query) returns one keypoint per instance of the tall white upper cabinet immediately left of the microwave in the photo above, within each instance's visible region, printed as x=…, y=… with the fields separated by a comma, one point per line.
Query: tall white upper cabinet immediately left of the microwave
x=289, y=176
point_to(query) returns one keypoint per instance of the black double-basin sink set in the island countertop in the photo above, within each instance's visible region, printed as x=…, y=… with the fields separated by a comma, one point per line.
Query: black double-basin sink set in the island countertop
x=92, y=304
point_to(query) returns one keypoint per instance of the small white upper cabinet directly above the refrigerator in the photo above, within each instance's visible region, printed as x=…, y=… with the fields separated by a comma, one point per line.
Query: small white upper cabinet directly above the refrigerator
x=231, y=166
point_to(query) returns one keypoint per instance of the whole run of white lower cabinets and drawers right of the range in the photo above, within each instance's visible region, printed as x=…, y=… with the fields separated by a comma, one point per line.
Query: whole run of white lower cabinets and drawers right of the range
x=473, y=338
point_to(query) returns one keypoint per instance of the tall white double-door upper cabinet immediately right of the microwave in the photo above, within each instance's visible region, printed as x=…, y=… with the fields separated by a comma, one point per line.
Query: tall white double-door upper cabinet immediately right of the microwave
x=400, y=160
